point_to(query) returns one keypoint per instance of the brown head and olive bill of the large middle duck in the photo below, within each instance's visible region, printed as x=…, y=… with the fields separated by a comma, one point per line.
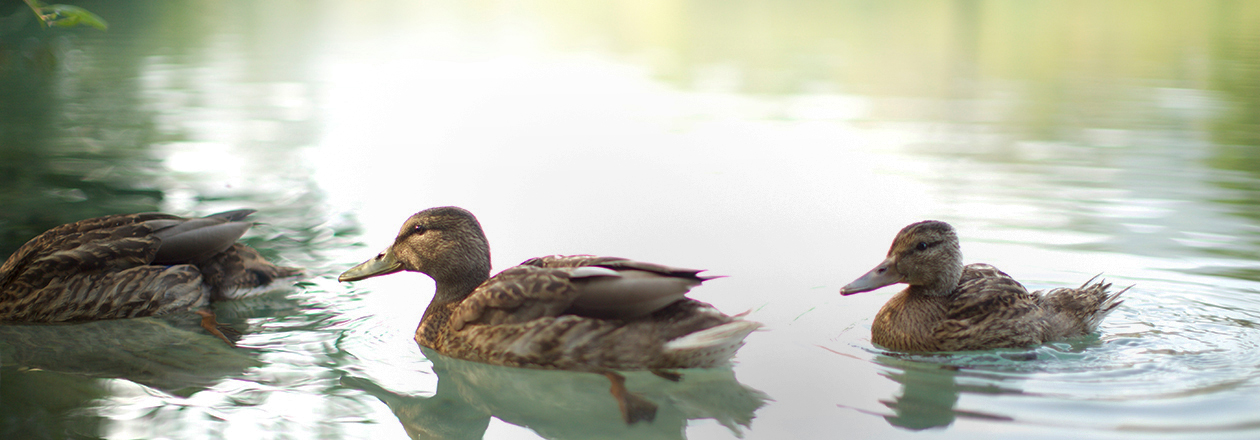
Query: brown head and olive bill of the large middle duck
x=447, y=244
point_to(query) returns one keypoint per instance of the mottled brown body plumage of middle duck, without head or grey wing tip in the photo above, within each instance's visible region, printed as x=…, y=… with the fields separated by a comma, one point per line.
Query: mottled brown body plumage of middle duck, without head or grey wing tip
x=518, y=318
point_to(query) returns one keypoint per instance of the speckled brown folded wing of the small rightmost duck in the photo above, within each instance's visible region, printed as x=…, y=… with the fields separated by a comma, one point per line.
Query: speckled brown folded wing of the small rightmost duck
x=990, y=311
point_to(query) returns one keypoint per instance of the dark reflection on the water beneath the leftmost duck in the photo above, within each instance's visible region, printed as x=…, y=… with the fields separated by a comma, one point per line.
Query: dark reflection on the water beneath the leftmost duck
x=54, y=376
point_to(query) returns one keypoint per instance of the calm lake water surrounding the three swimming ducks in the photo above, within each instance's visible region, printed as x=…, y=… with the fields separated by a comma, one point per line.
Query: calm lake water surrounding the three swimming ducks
x=779, y=143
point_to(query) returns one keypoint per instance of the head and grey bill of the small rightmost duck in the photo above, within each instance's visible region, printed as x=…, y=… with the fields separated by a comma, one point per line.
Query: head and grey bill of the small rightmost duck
x=925, y=255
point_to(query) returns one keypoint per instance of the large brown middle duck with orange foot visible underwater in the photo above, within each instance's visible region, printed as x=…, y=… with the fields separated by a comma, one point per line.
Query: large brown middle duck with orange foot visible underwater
x=578, y=313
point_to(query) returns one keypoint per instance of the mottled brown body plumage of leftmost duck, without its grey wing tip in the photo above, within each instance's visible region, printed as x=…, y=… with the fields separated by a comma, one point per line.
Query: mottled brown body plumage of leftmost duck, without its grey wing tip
x=100, y=269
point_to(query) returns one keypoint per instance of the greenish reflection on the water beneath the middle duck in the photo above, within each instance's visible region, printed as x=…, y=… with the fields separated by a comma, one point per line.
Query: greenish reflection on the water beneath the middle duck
x=563, y=405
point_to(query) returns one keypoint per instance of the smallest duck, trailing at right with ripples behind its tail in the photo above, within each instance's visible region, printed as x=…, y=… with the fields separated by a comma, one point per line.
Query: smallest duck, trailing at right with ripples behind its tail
x=954, y=308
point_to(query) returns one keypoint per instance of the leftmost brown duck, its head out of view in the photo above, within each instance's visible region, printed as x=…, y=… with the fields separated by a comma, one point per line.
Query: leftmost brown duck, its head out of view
x=135, y=265
